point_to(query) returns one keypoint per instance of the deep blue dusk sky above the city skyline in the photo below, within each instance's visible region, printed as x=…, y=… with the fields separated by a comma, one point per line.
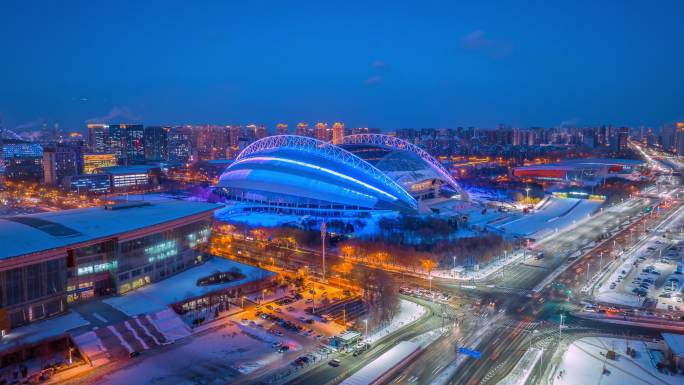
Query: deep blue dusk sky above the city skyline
x=384, y=64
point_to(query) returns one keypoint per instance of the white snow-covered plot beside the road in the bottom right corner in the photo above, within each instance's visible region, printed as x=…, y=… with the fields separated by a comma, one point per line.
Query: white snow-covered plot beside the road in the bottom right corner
x=584, y=362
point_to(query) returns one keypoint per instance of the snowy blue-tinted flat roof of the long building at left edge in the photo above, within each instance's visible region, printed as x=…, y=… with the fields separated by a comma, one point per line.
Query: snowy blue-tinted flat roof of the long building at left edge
x=34, y=233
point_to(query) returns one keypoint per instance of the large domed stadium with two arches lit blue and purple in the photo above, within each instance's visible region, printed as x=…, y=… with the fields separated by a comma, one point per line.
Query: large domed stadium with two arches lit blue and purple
x=299, y=175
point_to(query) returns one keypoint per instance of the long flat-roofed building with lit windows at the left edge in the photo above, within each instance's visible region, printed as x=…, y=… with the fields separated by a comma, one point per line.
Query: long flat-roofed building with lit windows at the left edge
x=51, y=259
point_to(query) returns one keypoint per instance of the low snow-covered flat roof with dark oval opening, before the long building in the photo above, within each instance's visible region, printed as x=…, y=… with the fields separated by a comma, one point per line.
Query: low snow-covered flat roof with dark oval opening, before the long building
x=183, y=286
